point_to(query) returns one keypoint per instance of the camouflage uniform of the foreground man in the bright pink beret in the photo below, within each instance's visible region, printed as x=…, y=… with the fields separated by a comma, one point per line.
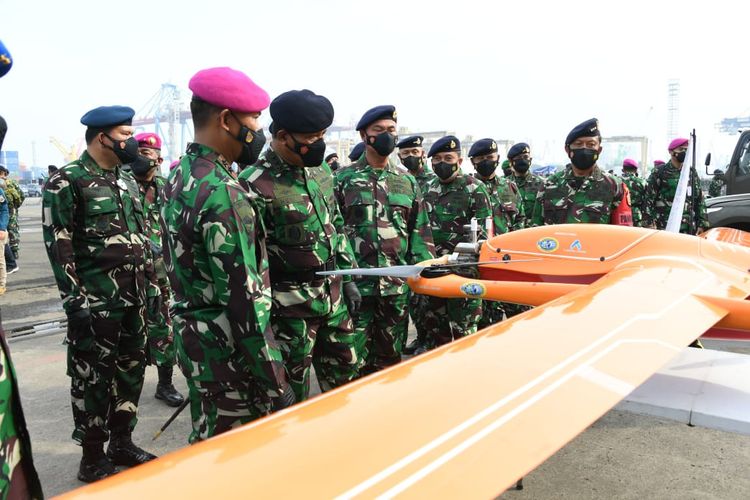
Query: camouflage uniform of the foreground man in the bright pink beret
x=218, y=271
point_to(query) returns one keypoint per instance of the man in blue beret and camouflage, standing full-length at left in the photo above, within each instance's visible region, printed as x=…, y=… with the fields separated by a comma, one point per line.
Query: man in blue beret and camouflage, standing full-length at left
x=95, y=234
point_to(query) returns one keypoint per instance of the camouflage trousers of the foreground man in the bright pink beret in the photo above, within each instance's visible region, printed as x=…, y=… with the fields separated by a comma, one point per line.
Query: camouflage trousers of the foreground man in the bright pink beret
x=216, y=407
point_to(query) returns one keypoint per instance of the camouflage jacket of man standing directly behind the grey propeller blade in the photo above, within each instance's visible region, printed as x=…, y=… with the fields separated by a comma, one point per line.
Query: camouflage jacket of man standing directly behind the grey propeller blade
x=385, y=221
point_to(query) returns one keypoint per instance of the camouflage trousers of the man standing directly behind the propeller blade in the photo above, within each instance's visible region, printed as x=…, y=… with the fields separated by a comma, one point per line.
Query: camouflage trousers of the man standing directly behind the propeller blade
x=383, y=321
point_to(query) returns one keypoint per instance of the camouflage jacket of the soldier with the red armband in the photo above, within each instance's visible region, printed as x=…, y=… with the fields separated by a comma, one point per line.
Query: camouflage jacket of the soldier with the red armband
x=565, y=198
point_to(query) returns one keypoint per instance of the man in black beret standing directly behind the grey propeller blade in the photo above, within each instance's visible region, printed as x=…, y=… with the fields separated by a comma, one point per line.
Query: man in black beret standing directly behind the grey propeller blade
x=387, y=226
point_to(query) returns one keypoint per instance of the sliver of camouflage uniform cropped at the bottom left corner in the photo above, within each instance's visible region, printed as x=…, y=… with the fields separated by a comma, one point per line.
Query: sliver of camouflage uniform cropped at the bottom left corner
x=18, y=477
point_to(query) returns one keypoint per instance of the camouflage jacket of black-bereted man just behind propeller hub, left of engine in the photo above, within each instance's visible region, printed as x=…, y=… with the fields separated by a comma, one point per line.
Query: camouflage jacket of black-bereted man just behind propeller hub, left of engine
x=452, y=206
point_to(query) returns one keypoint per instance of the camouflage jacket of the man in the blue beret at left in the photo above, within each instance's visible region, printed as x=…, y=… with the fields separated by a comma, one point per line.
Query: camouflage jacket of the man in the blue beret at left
x=95, y=233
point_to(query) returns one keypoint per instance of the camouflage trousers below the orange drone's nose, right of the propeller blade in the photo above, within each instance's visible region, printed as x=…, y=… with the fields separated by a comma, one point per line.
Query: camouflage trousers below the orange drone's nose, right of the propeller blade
x=450, y=319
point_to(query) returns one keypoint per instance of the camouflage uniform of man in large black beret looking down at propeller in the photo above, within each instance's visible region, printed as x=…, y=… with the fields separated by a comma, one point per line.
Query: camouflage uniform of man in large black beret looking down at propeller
x=306, y=234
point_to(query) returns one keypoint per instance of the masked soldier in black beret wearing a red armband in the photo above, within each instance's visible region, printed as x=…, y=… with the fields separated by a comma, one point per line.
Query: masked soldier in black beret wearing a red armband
x=582, y=192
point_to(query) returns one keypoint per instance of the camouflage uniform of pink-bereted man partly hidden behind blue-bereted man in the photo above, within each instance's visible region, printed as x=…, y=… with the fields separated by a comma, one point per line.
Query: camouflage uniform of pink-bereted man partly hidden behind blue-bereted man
x=160, y=345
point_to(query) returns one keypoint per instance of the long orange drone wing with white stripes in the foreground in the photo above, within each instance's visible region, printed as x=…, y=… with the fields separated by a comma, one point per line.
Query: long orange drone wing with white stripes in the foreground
x=465, y=420
